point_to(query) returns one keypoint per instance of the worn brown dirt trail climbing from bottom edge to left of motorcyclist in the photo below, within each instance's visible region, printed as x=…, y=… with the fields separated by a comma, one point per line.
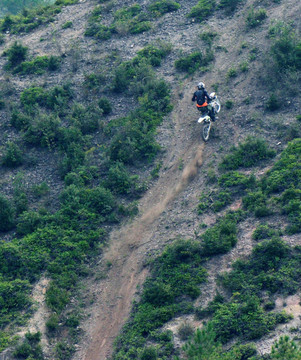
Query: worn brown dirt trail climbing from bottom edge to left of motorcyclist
x=129, y=245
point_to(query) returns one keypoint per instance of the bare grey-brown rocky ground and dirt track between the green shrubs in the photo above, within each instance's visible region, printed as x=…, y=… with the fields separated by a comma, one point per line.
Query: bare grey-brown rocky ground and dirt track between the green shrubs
x=168, y=209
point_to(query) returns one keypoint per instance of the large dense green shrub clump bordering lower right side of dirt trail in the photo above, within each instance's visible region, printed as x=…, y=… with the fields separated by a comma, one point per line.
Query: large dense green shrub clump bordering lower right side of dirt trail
x=175, y=275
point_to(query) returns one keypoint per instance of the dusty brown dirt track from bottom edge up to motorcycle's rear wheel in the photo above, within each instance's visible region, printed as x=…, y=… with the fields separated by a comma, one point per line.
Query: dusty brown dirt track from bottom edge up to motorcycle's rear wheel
x=126, y=253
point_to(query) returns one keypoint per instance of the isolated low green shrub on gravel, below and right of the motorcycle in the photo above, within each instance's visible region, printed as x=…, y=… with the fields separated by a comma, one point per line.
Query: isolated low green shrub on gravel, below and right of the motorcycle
x=247, y=154
